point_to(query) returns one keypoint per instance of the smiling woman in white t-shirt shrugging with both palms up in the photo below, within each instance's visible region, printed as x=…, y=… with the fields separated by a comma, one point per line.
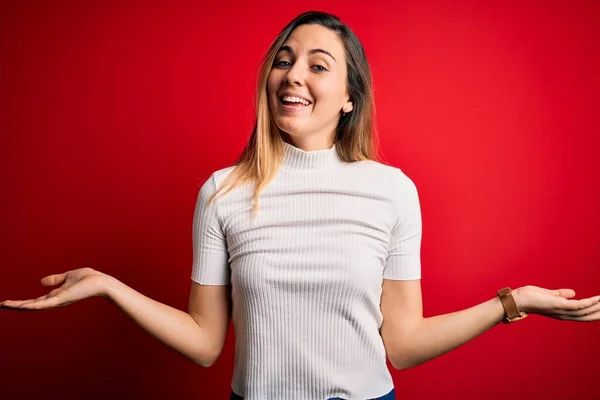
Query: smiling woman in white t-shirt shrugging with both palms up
x=311, y=245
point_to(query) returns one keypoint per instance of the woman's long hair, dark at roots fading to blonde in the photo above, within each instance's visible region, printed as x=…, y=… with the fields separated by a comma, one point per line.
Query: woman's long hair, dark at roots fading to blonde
x=355, y=138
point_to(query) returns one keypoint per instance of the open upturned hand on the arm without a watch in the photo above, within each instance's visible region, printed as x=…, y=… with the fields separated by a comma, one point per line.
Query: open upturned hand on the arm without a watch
x=76, y=285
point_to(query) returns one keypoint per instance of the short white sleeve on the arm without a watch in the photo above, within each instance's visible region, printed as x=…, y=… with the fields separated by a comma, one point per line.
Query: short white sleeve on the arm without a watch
x=210, y=260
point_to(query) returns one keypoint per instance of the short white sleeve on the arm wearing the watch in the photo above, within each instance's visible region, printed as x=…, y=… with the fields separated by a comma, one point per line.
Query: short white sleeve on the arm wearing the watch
x=404, y=254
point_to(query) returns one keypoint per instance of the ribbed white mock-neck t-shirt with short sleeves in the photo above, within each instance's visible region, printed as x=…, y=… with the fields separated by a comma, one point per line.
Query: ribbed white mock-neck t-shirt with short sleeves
x=307, y=273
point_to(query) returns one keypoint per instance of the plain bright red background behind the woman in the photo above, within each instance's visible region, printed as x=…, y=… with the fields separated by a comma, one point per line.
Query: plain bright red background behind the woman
x=112, y=115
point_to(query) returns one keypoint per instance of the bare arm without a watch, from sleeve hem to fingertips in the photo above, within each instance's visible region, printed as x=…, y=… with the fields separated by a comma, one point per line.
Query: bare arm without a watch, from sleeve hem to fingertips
x=198, y=335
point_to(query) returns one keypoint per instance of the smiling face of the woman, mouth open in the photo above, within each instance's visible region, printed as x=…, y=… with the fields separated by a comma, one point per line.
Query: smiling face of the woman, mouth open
x=307, y=83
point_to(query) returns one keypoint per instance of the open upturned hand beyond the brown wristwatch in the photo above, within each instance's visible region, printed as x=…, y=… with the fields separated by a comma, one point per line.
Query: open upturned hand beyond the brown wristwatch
x=557, y=304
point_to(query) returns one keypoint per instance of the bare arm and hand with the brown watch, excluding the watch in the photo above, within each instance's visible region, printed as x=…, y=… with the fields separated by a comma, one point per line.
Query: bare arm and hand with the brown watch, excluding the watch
x=411, y=340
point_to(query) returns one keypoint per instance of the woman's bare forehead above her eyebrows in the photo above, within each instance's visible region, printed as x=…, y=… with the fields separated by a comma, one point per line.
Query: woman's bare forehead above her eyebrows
x=311, y=36
